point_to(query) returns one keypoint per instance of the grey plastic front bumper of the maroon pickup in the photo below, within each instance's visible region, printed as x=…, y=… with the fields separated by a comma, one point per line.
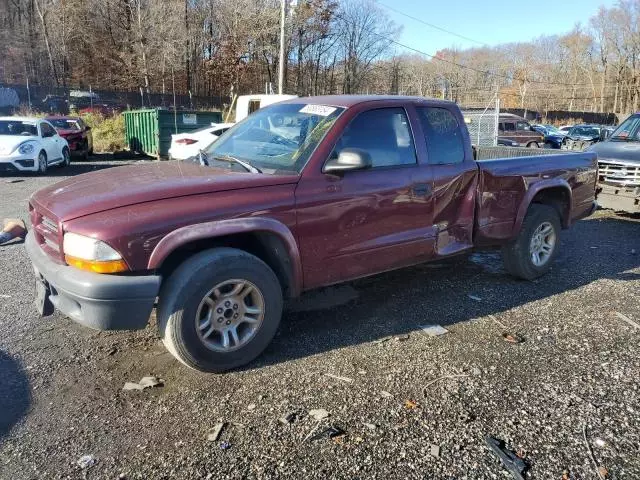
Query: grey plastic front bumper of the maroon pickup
x=98, y=301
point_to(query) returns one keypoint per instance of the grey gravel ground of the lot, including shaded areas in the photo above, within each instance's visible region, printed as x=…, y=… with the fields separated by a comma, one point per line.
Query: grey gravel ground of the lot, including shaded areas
x=412, y=406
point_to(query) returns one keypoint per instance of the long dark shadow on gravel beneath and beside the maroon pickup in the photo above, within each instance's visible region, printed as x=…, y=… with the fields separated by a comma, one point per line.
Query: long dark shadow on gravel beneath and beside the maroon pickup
x=397, y=303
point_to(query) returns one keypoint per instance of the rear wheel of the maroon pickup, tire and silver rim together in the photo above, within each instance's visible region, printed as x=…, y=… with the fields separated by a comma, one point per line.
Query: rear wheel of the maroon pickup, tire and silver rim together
x=532, y=253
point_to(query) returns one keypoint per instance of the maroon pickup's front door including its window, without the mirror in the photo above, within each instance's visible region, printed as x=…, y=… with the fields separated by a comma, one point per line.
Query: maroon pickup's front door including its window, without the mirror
x=368, y=221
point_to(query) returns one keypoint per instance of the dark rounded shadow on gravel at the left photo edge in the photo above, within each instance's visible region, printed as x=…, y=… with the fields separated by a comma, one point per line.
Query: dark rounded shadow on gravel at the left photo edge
x=15, y=394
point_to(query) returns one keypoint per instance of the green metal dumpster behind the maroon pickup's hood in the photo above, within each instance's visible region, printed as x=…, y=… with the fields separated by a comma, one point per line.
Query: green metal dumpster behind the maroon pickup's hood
x=149, y=131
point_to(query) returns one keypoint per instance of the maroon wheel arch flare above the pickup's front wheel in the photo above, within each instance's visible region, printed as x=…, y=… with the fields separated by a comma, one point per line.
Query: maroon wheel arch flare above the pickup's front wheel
x=268, y=239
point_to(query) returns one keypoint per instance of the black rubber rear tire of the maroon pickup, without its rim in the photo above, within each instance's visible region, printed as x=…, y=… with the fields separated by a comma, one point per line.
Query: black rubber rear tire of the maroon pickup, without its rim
x=517, y=255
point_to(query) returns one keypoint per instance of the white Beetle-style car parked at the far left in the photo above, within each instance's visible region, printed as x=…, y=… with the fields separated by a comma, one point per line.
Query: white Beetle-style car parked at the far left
x=30, y=145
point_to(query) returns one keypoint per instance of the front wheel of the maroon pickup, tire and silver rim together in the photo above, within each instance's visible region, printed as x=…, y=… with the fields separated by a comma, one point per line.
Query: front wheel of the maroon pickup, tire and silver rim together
x=219, y=309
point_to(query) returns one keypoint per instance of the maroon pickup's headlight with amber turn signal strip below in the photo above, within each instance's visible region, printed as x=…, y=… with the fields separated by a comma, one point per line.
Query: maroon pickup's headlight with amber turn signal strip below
x=90, y=254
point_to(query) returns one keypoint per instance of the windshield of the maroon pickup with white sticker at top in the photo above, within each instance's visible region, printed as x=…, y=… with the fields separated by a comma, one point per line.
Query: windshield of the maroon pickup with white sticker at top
x=278, y=137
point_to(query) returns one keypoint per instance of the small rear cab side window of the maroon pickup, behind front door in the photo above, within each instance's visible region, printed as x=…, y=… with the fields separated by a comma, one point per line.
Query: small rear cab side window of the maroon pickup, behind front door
x=442, y=134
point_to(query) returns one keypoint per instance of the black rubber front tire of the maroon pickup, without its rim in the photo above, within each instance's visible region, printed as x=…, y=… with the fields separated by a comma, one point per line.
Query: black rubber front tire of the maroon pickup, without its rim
x=182, y=294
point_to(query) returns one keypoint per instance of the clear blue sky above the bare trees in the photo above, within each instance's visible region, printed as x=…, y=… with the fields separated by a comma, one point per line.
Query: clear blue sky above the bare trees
x=489, y=21
